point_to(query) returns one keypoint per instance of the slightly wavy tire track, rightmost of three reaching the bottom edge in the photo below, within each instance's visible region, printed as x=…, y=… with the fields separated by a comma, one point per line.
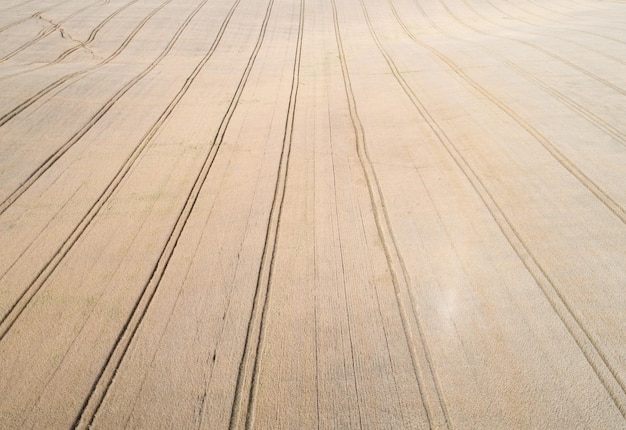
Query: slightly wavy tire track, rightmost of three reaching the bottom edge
x=429, y=387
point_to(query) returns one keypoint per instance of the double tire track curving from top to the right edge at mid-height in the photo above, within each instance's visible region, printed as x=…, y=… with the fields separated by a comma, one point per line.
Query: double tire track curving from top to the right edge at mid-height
x=587, y=182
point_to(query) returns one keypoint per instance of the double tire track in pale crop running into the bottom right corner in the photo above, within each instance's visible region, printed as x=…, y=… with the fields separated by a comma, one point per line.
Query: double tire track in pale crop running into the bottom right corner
x=592, y=351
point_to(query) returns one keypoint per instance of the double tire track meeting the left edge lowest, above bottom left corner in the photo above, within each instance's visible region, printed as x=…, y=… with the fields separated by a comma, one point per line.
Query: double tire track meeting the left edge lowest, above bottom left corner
x=9, y=318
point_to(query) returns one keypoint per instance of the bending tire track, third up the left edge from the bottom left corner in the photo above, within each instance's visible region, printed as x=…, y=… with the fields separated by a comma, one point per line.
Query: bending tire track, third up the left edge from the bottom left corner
x=41, y=93
